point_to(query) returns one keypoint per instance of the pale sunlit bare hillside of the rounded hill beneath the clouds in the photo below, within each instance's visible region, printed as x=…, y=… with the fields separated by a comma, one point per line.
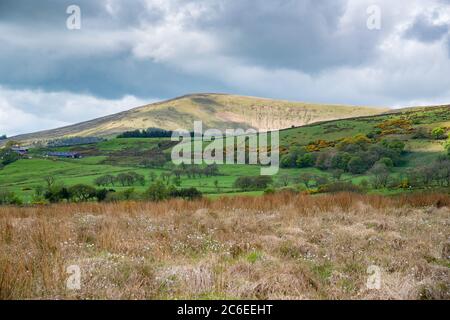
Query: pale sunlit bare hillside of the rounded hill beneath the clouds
x=215, y=110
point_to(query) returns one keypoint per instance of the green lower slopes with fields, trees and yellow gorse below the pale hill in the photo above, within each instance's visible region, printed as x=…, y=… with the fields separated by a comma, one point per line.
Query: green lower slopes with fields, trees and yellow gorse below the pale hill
x=321, y=150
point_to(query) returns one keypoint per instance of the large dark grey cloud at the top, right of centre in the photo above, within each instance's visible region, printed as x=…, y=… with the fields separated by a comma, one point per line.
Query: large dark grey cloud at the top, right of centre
x=303, y=35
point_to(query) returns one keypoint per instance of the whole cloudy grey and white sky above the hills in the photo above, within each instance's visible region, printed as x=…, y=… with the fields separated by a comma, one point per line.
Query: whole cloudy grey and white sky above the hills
x=130, y=53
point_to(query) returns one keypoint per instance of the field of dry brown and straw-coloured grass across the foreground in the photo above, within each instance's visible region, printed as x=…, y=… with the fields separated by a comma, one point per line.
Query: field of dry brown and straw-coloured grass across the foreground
x=280, y=246
